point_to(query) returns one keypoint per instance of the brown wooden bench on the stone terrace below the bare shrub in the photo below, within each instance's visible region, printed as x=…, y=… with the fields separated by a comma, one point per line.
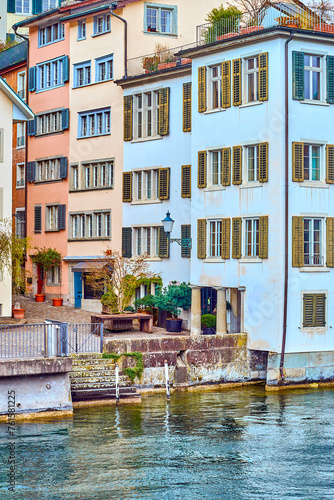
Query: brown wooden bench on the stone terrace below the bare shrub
x=122, y=322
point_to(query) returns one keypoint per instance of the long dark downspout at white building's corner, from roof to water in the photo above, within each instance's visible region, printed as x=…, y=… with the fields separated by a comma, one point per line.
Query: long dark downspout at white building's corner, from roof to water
x=286, y=209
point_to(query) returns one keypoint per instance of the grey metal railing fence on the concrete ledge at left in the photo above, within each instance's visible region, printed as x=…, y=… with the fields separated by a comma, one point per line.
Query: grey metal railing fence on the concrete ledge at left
x=51, y=338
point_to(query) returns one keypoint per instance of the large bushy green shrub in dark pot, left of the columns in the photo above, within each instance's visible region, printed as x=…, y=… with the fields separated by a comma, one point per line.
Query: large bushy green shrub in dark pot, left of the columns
x=172, y=299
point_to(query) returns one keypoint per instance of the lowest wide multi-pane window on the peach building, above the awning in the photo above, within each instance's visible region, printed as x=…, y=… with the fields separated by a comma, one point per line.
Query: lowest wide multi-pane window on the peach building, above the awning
x=90, y=225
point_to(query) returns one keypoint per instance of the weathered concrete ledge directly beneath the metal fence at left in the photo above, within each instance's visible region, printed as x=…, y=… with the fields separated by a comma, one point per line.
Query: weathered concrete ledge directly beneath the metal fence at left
x=34, y=366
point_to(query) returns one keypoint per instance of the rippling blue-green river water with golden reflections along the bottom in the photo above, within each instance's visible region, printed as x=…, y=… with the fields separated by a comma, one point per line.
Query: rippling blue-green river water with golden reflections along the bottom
x=236, y=444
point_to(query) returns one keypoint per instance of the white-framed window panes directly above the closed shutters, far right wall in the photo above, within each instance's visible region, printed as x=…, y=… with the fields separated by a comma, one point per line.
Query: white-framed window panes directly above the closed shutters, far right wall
x=313, y=242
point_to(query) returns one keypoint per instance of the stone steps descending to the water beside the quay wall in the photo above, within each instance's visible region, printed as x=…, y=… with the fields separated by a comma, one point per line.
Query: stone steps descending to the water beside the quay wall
x=93, y=377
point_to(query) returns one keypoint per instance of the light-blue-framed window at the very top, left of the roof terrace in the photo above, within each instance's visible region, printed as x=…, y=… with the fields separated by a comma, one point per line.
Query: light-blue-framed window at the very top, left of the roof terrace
x=160, y=19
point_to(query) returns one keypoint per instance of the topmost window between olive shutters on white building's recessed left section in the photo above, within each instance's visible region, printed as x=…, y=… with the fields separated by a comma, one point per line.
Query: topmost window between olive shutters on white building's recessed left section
x=146, y=114
